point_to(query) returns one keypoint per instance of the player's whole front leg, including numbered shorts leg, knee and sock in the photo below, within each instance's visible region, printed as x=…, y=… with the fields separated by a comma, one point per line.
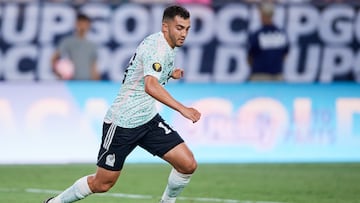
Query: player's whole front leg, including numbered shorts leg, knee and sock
x=166, y=143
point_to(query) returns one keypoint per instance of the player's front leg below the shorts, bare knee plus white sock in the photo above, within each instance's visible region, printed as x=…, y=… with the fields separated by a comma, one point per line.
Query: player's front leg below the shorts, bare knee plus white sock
x=184, y=165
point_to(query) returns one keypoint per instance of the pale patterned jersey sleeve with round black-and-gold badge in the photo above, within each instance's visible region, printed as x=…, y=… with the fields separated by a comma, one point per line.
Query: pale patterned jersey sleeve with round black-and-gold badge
x=153, y=59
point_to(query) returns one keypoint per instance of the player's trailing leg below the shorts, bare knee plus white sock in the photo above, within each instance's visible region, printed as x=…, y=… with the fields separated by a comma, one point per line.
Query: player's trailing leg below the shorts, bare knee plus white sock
x=99, y=182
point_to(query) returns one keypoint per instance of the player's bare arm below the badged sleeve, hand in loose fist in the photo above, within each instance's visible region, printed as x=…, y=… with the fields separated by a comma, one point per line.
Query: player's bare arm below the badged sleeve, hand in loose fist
x=157, y=91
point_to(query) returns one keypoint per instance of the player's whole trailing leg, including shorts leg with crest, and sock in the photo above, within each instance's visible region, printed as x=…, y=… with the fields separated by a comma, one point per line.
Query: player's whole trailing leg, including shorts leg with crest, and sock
x=111, y=157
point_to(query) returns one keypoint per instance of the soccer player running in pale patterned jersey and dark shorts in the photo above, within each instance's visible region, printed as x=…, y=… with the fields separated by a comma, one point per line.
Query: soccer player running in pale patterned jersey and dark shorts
x=132, y=120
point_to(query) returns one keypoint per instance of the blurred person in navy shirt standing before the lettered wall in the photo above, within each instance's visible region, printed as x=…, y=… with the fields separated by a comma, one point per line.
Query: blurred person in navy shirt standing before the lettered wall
x=267, y=47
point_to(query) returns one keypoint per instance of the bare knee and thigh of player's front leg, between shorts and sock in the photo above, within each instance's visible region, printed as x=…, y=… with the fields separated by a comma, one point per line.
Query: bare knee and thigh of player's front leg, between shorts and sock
x=181, y=158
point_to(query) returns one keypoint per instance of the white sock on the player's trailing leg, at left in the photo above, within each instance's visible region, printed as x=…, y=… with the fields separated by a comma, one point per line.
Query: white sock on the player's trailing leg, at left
x=79, y=190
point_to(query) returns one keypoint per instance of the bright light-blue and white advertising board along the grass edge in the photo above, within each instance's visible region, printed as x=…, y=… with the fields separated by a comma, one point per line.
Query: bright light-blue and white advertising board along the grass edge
x=56, y=122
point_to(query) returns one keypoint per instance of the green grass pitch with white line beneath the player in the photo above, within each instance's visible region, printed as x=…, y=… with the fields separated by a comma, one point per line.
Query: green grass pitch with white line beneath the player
x=232, y=183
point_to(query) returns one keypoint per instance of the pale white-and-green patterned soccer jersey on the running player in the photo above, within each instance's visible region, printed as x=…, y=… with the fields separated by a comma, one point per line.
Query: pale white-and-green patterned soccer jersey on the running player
x=132, y=106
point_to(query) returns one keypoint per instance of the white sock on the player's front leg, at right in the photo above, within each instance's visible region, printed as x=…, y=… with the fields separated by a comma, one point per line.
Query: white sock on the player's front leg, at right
x=176, y=183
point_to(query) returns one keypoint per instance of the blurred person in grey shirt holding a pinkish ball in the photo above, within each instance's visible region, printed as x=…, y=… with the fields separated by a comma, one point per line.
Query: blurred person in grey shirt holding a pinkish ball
x=81, y=52
